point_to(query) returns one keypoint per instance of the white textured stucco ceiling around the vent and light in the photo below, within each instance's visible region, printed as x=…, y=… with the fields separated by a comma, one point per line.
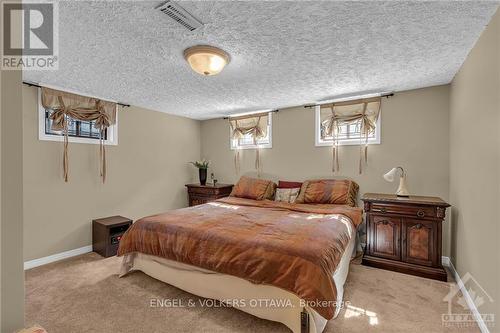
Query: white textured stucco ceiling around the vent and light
x=282, y=53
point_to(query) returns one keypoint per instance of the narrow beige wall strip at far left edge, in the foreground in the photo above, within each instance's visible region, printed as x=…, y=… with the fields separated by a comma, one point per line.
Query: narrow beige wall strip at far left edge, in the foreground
x=11, y=231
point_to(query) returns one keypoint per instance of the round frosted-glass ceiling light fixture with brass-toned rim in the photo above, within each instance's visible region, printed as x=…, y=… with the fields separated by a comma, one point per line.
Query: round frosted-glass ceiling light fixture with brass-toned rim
x=206, y=60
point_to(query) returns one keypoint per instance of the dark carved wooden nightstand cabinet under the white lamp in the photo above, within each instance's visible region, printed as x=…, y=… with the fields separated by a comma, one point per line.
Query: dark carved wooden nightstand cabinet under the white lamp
x=404, y=234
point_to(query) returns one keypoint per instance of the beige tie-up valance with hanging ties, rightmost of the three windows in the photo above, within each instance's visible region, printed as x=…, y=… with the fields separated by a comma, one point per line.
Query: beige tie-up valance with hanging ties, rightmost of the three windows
x=334, y=115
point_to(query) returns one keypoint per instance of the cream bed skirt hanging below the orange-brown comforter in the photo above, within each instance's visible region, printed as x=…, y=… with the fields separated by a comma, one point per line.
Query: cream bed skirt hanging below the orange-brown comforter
x=223, y=287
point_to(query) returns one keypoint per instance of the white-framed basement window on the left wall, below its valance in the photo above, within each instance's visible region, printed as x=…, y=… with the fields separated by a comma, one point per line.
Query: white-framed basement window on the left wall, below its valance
x=78, y=131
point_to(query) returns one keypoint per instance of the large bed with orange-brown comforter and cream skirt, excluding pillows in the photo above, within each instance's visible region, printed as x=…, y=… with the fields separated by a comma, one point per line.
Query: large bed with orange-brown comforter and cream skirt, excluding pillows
x=278, y=261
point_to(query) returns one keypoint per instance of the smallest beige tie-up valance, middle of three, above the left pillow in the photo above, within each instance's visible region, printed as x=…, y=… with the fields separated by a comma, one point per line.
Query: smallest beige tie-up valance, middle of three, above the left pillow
x=254, y=125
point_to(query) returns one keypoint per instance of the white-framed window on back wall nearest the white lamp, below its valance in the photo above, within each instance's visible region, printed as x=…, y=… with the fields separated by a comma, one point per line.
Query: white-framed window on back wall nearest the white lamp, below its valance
x=349, y=134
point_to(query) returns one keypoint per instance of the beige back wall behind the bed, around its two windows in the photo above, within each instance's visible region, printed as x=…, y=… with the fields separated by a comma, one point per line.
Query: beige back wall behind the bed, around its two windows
x=414, y=135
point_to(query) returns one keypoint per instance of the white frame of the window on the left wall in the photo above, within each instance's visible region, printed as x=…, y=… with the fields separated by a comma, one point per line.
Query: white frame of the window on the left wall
x=112, y=131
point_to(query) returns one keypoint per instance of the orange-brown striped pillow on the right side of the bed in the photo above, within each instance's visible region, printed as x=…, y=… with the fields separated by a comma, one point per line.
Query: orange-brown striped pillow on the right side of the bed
x=329, y=191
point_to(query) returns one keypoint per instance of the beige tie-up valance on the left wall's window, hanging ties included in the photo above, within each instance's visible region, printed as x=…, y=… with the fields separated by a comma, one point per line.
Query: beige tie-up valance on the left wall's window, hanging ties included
x=67, y=105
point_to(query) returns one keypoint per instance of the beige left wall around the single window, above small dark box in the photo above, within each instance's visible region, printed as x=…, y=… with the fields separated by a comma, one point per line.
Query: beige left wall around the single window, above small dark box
x=146, y=175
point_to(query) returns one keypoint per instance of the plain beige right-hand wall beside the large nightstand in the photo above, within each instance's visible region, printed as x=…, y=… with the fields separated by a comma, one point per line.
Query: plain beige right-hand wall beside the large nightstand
x=475, y=165
